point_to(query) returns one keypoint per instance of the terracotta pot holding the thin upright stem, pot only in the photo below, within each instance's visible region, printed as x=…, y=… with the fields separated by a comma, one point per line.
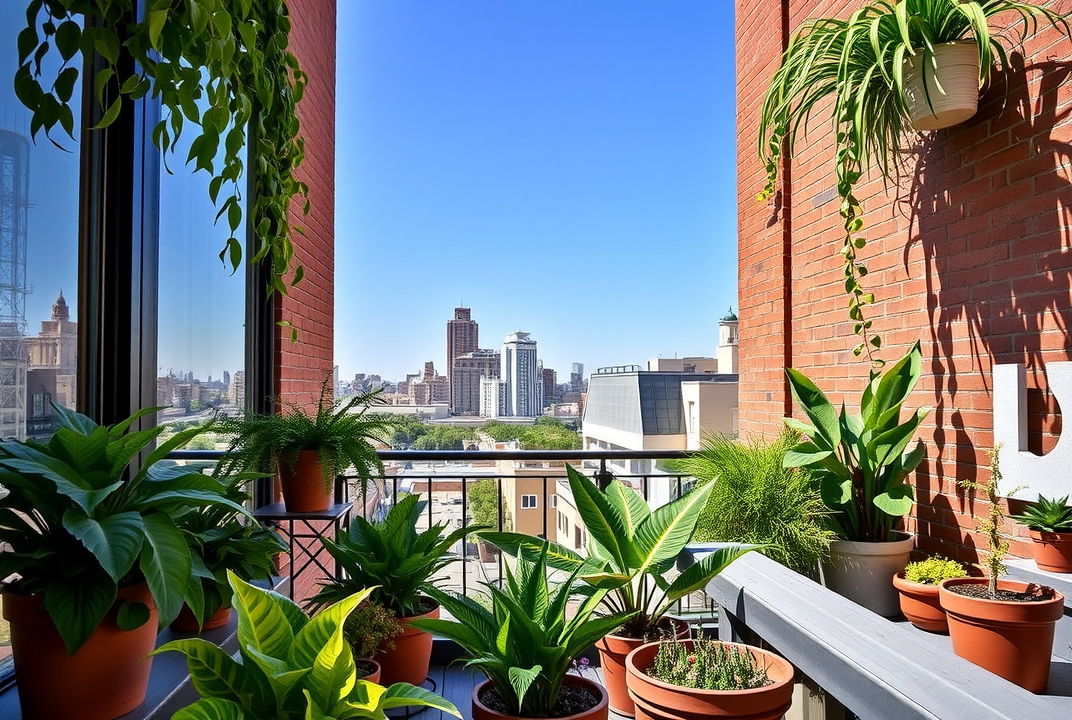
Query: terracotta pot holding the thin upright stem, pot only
x=1014, y=640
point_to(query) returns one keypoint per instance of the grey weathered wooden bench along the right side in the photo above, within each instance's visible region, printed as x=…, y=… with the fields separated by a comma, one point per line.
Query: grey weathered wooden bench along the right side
x=882, y=669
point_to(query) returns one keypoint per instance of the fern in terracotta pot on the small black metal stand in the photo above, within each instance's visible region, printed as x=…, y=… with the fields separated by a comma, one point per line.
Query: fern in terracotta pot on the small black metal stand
x=309, y=452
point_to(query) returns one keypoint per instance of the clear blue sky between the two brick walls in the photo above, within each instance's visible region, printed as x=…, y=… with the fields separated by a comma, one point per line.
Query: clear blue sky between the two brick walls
x=564, y=169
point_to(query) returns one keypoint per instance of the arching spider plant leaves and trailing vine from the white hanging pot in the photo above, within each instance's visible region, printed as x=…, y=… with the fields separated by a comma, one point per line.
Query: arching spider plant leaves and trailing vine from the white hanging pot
x=859, y=63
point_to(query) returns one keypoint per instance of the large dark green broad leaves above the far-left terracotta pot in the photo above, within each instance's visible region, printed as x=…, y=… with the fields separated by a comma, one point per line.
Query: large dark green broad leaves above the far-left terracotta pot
x=81, y=523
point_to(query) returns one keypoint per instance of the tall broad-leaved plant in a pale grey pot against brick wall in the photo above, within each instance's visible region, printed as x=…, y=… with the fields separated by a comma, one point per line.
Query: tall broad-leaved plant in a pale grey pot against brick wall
x=862, y=467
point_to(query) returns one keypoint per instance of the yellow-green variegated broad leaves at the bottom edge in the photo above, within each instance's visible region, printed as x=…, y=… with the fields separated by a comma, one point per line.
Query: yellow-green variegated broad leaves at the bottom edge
x=290, y=667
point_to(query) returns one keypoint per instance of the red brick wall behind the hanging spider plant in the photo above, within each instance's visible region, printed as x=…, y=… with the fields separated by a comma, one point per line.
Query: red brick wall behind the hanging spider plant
x=971, y=256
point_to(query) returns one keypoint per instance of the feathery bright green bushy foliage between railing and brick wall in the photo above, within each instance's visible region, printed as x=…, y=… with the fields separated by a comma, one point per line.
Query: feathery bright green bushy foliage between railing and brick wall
x=756, y=500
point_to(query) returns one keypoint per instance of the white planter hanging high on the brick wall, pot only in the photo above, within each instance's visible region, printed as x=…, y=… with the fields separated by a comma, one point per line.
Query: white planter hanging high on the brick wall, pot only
x=952, y=97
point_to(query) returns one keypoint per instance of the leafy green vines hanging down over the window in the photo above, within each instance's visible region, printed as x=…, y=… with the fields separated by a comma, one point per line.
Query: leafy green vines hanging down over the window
x=220, y=67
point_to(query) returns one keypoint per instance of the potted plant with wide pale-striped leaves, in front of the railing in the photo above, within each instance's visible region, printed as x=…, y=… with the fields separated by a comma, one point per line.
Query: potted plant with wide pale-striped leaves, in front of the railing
x=631, y=550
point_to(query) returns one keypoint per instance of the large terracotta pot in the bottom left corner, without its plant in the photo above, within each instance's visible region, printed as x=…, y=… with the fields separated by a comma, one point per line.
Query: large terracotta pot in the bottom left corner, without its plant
x=106, y=679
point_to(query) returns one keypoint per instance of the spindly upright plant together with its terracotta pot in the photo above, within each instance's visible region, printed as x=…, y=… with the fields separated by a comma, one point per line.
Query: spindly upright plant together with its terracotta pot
x=1005, y=626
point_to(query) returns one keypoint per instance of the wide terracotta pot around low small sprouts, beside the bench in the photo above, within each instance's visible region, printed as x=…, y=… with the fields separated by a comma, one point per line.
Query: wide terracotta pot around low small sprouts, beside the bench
x=657, y=700
